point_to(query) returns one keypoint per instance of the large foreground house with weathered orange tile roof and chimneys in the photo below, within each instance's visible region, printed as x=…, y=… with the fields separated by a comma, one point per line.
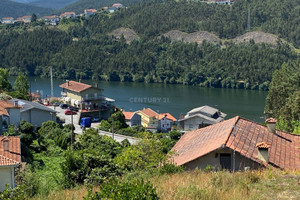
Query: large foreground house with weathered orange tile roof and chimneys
x=237, y=144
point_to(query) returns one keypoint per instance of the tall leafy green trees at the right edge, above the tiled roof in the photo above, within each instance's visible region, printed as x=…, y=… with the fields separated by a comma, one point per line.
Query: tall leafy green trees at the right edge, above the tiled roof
x=283, y=100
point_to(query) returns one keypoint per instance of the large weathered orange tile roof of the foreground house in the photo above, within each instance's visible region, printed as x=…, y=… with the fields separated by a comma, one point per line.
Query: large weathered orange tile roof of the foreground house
x=242, y=136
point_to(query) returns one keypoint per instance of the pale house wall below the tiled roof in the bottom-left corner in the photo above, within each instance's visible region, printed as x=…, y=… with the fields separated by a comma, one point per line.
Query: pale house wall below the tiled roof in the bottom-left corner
x=7, y=176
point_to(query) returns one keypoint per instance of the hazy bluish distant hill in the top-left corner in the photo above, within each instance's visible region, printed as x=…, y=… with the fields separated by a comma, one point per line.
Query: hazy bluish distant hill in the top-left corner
x=13, y=9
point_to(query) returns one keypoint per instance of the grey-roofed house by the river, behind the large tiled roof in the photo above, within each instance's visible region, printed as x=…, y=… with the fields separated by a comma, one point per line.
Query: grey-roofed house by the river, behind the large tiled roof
x=201, y=117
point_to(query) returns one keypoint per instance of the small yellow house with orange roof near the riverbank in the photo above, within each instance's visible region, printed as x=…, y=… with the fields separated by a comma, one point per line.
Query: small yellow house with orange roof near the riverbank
x=149, y=118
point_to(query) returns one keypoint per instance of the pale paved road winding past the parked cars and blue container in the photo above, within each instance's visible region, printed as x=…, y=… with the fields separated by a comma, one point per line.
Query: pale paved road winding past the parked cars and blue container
x=78, y=130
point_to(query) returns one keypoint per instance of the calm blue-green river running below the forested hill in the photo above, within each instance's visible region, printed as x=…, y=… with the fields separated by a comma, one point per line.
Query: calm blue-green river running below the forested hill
x=175, y=99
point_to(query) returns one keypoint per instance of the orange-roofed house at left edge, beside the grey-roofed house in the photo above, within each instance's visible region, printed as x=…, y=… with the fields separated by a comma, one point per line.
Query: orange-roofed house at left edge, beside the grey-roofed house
x=9, y=114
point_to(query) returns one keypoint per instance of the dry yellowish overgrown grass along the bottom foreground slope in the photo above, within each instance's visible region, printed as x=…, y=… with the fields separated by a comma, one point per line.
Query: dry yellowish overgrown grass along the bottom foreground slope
x=190, y=185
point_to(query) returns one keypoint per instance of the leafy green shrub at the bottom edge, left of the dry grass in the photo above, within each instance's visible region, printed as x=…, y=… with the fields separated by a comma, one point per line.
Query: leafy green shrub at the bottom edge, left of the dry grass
x=119, y=190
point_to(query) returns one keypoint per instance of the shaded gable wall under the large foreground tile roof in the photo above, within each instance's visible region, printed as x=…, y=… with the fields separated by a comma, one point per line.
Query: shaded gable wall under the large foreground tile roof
x=213, y=159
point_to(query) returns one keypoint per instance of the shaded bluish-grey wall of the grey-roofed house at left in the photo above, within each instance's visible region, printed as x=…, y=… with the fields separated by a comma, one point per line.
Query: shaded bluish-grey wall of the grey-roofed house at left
x=36, y=117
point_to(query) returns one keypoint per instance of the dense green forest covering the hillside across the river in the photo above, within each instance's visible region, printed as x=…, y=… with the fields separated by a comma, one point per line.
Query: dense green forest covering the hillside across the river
x=94, y=54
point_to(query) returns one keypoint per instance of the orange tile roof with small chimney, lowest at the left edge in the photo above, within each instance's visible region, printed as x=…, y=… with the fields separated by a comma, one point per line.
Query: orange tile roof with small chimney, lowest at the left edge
x=13, y=155
